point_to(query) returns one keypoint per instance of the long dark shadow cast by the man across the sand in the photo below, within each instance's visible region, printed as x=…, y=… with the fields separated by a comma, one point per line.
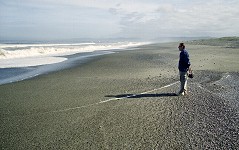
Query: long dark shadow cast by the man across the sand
x=141, y=95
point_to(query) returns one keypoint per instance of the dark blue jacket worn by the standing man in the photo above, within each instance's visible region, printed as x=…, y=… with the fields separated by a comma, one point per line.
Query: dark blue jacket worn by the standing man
x=184, y=62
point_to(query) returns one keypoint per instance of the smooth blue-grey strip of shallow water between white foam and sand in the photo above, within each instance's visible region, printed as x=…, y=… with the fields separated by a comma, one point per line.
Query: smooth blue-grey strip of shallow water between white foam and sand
x=11, y=75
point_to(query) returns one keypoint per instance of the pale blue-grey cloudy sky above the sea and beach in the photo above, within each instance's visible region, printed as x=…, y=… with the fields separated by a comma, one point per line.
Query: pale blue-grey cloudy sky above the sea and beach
x=66, y=19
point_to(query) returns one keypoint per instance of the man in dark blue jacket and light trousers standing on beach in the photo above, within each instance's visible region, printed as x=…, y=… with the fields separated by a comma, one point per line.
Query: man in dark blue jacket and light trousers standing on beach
x=183, y=67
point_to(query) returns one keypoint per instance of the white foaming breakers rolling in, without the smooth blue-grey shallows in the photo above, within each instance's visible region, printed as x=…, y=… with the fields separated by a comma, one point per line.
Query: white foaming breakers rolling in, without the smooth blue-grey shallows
x=23, y=55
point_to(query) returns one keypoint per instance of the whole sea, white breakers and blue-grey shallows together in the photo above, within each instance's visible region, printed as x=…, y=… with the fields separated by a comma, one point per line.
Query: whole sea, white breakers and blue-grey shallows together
x=23, y=61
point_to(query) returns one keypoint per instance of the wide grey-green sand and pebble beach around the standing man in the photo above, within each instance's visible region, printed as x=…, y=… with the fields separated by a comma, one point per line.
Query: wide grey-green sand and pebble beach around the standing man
x=125, y=101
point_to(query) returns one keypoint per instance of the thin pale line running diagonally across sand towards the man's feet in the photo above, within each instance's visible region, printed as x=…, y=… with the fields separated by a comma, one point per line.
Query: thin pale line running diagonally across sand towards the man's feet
x=112, y=99
